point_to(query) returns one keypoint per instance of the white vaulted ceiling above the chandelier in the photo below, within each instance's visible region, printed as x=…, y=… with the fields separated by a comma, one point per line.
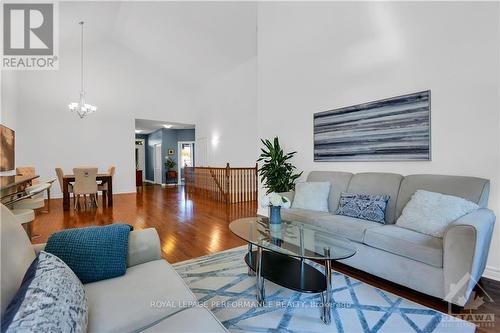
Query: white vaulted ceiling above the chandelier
x=190, y=41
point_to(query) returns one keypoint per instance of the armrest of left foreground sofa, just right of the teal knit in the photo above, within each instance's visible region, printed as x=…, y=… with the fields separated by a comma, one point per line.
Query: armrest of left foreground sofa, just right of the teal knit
x=143, y=246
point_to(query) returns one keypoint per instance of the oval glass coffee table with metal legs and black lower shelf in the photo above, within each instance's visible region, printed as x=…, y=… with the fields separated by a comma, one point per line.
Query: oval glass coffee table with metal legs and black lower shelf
x=279, y=256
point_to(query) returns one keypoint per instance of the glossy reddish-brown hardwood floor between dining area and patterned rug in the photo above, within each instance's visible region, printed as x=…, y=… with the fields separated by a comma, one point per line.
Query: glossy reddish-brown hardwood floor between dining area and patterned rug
x=188, y=227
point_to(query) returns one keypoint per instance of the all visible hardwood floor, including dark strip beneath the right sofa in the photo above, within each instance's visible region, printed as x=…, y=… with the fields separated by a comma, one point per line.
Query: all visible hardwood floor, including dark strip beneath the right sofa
x=193, y=226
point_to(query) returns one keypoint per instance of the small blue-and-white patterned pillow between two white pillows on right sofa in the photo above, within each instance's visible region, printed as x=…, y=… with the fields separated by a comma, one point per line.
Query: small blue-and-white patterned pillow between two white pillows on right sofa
x=369, y=207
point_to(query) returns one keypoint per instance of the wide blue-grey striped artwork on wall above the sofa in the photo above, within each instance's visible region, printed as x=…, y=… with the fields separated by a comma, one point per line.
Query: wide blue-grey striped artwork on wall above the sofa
x=391, y=129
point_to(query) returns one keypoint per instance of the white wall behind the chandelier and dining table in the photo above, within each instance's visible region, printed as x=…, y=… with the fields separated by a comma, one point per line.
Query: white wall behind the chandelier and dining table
x=122, y=86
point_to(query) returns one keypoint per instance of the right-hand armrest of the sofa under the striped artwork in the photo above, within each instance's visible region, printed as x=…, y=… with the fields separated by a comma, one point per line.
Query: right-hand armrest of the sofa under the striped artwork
x=466, y=243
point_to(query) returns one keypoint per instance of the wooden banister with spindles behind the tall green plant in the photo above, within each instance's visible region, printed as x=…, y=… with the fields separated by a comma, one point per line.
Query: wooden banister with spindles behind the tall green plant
x=229, y=185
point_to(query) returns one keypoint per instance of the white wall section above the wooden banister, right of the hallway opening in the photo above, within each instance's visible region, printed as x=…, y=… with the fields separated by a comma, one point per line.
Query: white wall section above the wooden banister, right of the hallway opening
x=227, y=116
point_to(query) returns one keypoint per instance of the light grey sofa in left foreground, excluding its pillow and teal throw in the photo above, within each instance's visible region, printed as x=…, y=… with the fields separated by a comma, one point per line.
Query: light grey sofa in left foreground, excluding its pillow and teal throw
x=150, y=297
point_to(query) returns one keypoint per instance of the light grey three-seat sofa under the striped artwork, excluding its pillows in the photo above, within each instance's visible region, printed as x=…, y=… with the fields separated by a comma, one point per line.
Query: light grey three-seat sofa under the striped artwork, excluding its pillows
x=447, y=267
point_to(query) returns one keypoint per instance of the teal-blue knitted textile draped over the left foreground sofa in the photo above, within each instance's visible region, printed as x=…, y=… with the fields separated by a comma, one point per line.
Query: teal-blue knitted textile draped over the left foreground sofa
x=94, y=253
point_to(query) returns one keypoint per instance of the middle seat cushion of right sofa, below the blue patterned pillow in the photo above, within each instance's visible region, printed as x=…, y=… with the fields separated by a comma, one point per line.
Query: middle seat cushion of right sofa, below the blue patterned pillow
x=345, y=226
